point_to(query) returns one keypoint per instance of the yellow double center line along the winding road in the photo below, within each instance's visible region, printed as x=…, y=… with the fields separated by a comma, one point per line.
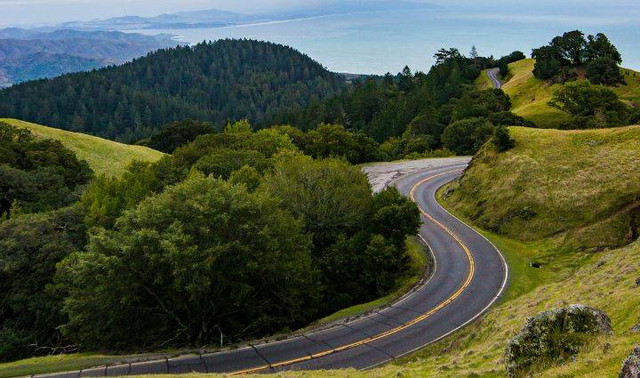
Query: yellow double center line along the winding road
x=392, y=331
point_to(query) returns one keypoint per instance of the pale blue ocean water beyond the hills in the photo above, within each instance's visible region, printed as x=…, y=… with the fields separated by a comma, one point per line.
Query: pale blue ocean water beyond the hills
x=380, y=42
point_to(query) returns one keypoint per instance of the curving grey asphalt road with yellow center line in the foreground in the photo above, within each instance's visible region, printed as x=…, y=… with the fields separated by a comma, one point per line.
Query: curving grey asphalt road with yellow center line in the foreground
x=469, y=277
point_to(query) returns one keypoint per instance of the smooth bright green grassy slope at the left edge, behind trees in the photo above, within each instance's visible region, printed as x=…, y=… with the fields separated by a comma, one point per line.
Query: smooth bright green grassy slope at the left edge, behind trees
x=104, y=156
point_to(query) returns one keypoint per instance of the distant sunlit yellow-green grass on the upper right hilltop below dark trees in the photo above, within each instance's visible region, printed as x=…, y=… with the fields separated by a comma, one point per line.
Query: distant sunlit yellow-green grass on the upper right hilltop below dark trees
x=530, y=96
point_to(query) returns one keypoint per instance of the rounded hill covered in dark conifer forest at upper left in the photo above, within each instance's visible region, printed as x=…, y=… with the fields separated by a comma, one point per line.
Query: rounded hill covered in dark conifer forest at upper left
x=214, y=81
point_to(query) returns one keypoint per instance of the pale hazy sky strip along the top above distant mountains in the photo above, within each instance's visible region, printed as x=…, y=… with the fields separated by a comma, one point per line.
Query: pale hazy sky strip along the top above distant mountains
x=21, y=12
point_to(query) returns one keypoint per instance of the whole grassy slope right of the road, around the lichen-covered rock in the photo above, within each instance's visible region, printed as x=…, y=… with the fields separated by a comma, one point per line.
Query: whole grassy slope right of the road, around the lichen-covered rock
x=561, y=251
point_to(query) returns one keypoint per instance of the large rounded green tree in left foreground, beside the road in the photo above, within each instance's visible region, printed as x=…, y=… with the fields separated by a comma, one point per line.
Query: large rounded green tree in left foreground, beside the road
x=202, y=257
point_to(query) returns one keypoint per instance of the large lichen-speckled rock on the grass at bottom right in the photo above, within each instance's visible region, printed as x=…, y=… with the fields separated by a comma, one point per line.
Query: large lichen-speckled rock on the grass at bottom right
x=554, y=337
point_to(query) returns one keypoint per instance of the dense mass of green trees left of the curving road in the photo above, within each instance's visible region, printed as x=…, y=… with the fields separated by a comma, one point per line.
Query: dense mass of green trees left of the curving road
x=276, y=237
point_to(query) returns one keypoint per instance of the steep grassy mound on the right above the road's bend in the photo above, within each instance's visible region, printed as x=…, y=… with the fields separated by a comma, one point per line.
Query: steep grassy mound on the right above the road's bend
x=581, y=184
